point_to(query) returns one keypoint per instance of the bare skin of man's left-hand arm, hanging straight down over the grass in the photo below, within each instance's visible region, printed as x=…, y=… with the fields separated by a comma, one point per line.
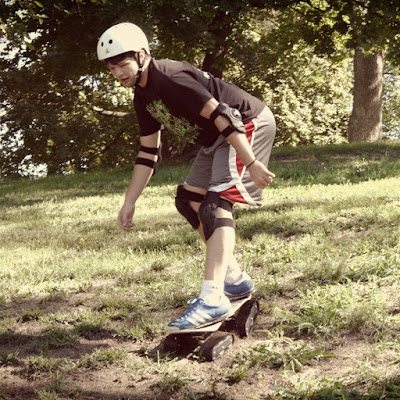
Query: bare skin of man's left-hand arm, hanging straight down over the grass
x=140, y=177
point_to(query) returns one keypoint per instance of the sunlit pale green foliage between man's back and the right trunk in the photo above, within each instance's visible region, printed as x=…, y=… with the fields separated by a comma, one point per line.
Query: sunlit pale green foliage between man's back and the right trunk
x=310, y=95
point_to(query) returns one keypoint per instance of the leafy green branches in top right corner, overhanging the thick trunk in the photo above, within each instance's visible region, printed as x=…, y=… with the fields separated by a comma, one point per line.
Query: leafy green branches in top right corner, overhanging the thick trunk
x=328, y=24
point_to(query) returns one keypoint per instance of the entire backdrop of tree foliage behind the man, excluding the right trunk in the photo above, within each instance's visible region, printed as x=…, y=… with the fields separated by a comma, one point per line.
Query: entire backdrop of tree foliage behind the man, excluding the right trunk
x=50, y=78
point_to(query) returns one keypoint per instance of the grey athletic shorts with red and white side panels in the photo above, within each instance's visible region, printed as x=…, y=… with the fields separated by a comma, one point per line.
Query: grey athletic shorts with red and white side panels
x=219, y=169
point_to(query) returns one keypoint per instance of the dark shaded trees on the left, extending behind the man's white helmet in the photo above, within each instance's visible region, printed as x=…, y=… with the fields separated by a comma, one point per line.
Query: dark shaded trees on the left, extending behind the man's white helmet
x=53, y=47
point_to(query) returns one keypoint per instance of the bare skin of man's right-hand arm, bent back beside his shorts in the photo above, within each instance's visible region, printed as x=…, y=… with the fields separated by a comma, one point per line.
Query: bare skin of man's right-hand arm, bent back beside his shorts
x=261, y=176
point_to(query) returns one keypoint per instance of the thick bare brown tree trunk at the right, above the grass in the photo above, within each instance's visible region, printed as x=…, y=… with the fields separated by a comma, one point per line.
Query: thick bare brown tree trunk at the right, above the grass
x=365, y=124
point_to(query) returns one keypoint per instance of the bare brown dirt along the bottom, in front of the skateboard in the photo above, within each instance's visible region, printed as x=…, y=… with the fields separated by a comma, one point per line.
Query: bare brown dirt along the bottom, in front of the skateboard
x=145, y=372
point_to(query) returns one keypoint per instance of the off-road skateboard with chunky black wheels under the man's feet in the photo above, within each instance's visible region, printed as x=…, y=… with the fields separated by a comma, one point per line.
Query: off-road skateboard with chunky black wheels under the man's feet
x=215, y=339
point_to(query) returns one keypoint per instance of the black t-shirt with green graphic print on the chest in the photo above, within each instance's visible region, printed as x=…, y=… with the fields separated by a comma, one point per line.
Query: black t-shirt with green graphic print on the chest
x=175, y=94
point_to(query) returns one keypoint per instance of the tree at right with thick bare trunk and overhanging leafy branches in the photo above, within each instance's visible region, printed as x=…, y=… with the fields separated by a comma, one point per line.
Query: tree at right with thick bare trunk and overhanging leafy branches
x=369, y=29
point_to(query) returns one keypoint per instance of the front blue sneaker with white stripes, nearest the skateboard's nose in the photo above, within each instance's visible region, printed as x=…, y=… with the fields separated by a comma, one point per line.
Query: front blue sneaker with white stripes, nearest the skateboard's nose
x=199, y=315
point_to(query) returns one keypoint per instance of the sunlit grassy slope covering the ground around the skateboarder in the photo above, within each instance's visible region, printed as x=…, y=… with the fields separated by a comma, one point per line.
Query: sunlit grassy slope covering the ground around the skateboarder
x=82, y=300
